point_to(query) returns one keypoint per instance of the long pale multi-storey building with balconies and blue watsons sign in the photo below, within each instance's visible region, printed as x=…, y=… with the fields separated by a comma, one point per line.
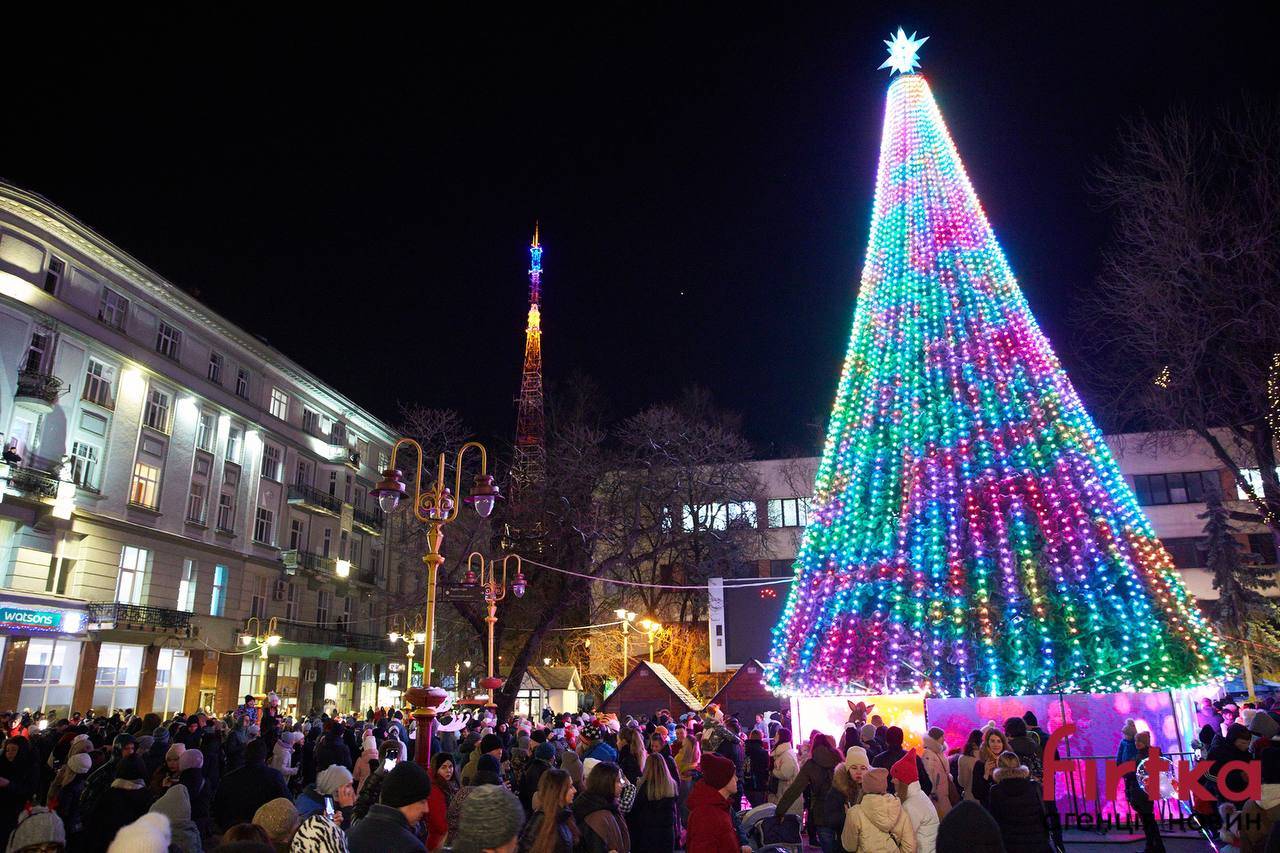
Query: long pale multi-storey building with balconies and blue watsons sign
x=167, y=477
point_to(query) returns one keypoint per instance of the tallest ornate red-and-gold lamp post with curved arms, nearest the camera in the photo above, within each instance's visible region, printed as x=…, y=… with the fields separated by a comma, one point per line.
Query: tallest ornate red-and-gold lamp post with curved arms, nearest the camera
x=436, y=508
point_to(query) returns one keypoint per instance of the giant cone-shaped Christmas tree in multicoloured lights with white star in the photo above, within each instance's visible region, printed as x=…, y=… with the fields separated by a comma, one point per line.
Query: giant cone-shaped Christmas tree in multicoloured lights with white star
x=972, y=533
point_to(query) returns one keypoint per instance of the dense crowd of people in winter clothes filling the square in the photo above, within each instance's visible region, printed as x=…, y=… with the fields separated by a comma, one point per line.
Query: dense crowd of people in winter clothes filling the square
x=257, y=782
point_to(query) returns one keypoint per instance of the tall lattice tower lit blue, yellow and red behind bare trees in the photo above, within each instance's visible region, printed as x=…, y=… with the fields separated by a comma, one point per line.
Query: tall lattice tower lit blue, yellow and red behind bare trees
x=529, y=468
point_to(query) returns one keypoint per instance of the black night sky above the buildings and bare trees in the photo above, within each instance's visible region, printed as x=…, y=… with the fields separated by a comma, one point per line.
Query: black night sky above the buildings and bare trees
x=703, y=180
